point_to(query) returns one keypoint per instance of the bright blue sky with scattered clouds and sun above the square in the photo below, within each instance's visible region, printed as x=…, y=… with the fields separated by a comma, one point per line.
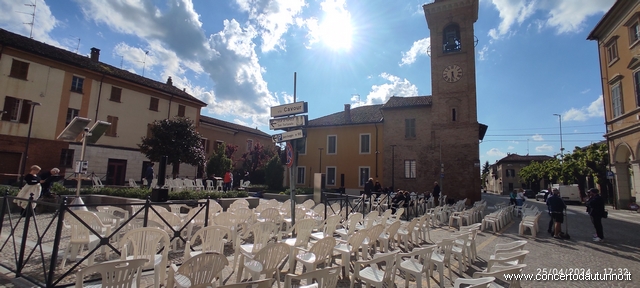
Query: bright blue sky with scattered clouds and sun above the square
x=532, y=57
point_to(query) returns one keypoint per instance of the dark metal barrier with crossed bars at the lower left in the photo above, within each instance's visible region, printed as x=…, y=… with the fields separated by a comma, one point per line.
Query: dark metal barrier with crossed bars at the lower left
x=30, y=242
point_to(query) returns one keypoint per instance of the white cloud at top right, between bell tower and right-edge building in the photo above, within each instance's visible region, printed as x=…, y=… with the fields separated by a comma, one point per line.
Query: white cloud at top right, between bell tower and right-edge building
x=564, y=16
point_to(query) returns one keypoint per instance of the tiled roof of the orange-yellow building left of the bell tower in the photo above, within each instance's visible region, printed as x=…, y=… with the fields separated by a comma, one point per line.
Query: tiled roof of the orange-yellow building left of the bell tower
x=359, y=115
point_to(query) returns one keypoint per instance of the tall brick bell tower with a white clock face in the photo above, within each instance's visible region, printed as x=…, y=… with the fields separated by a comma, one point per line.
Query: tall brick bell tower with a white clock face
x=453, y=88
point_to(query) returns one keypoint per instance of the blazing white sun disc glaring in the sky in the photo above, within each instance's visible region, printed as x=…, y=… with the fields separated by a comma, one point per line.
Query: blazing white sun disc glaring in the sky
x=335, y=29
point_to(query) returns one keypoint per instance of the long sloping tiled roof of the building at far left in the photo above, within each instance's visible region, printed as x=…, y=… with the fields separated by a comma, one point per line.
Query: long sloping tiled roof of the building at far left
x=20, y=42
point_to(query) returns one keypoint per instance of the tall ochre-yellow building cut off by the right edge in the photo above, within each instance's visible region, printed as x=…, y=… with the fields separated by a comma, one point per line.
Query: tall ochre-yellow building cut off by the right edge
x=618, y=37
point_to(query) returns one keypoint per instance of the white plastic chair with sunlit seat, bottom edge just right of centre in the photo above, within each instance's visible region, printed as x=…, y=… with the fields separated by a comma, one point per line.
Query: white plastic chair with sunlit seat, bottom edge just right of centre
x=372, y=275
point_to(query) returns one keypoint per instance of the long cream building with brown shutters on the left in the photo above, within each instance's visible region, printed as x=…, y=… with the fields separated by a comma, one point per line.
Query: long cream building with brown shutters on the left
x=64, y=85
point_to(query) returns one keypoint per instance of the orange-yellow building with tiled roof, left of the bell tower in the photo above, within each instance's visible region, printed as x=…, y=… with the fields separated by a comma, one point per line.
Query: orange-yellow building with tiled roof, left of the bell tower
x=345, y=147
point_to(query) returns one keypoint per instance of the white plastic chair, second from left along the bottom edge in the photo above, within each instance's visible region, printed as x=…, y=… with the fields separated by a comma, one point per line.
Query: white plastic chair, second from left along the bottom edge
x=197, y=270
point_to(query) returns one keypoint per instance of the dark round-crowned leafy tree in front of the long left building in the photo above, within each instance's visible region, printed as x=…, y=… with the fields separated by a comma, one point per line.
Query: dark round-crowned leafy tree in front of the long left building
x=177, y=139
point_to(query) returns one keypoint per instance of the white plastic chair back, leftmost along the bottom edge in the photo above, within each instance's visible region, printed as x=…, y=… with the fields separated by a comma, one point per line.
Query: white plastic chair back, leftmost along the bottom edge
x=115, y=274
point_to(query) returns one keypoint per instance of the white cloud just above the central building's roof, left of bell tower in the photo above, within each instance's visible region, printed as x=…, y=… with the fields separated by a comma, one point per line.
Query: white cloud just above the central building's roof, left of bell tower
x=381, y=93
